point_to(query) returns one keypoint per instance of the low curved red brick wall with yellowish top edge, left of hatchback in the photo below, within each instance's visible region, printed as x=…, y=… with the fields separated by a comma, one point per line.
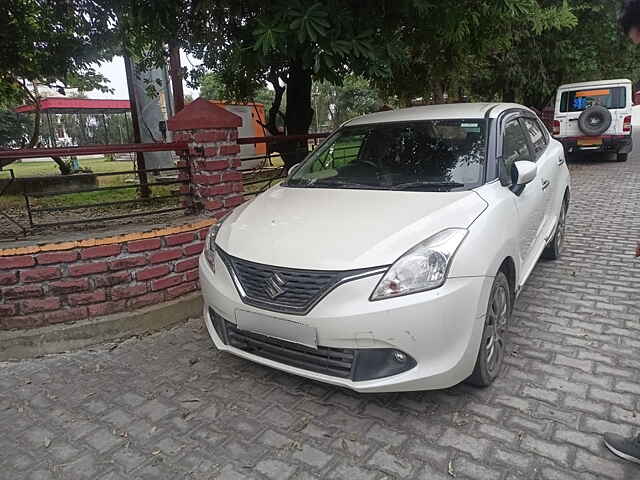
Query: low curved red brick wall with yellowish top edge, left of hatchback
x=115, y=275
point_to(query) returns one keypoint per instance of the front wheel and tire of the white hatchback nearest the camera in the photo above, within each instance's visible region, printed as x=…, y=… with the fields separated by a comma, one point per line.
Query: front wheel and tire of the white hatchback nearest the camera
x=492, y=347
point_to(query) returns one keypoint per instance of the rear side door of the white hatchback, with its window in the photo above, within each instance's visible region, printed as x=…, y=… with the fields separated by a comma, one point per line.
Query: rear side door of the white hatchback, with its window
x=549, y=161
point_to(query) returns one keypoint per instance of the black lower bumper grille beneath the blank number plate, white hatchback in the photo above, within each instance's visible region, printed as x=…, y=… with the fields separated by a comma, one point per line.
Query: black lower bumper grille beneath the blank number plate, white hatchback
x=336, y=362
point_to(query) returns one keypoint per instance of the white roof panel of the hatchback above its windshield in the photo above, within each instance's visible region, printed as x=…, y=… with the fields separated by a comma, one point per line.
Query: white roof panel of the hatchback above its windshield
x=436, y=112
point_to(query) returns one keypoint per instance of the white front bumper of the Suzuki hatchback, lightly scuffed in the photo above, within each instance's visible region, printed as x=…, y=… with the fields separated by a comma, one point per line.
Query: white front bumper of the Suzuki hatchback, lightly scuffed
x=439, y=329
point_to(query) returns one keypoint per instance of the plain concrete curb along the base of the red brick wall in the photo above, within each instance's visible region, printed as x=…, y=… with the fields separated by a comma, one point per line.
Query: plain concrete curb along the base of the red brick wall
x=20, y=344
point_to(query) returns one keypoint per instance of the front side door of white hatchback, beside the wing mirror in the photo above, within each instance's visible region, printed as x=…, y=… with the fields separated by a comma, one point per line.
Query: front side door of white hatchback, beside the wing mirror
x=529, y=201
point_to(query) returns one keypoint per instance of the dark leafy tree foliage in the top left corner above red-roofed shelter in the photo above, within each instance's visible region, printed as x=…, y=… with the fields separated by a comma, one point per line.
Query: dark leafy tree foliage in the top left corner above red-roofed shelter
x=53, y=43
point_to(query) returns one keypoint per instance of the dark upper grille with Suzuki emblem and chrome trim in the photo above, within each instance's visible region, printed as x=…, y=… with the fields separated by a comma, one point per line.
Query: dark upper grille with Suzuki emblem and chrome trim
x=286, y=290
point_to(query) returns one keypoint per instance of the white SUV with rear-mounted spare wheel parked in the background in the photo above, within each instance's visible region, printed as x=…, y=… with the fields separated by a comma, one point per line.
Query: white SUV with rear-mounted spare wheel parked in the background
x=595, y=116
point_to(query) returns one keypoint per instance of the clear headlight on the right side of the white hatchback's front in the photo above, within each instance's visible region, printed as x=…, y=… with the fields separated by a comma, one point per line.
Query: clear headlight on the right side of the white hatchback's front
x=424, y=267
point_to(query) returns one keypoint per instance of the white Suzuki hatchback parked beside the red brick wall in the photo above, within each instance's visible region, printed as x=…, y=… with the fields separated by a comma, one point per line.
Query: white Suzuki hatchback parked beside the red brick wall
x=390, y=259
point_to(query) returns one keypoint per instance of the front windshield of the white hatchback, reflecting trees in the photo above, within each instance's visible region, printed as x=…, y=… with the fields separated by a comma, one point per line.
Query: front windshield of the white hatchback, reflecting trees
x=432, y=155
